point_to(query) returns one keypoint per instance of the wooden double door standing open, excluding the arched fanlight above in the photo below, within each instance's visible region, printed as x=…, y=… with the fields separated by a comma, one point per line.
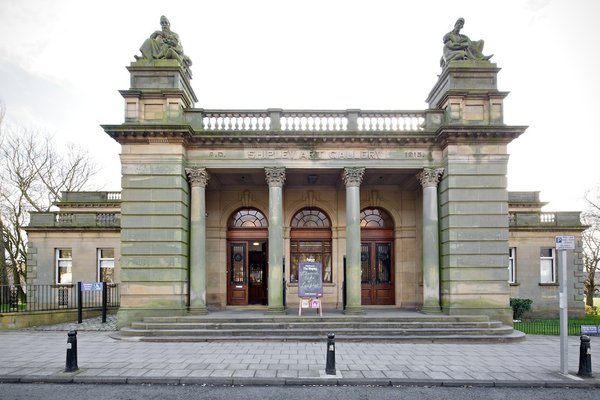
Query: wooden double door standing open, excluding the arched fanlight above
x=247, y=272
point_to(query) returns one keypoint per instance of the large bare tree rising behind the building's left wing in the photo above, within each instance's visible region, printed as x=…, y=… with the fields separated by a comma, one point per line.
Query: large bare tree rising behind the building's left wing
x=34, y=173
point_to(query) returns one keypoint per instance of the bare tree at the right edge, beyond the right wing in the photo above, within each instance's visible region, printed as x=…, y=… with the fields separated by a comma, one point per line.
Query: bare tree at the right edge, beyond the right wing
x=591, y=245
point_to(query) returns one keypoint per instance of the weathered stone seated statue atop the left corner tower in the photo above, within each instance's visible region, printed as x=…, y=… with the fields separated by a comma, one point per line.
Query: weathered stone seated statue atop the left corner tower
x=164, y=44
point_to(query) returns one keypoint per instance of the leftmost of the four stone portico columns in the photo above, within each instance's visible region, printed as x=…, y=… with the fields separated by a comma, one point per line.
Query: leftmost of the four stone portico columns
x=198, y=179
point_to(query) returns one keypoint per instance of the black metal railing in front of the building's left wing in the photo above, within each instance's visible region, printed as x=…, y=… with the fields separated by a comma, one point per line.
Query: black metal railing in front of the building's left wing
x=30, y=298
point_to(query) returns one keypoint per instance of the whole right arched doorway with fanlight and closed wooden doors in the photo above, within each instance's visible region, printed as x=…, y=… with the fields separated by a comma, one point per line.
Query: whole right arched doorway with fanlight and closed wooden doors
x=377, y=257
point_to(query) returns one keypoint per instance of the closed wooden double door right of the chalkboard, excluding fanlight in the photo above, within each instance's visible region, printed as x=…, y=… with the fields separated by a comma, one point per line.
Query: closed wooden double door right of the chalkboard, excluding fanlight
x=377, y=271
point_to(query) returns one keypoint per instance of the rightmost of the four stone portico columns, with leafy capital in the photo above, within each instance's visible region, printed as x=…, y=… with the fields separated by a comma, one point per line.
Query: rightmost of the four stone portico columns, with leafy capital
x=429, y=179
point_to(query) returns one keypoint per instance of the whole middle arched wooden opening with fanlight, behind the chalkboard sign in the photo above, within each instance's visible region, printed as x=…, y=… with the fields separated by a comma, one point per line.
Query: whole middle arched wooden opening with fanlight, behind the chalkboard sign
x=310, y=240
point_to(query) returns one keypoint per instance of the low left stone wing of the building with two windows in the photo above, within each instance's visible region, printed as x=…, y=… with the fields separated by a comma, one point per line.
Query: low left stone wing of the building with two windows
x=79, y=241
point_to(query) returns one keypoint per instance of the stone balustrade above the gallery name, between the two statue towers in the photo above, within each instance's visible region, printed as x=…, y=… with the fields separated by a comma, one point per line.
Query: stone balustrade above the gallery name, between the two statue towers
x=312, y=120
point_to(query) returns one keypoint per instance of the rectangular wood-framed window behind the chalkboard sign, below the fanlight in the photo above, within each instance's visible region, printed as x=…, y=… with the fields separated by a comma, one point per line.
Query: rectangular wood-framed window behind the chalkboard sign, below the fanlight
x=313, y=250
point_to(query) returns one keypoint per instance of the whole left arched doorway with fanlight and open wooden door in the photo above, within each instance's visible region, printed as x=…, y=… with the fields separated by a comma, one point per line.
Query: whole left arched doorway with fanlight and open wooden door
x=247, y=266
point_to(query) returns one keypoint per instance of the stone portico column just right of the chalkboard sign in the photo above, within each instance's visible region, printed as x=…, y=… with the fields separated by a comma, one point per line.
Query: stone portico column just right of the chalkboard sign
x=352, y=178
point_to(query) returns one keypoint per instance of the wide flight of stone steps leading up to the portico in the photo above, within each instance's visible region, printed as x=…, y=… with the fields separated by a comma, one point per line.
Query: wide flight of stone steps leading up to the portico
x=415, y=328
